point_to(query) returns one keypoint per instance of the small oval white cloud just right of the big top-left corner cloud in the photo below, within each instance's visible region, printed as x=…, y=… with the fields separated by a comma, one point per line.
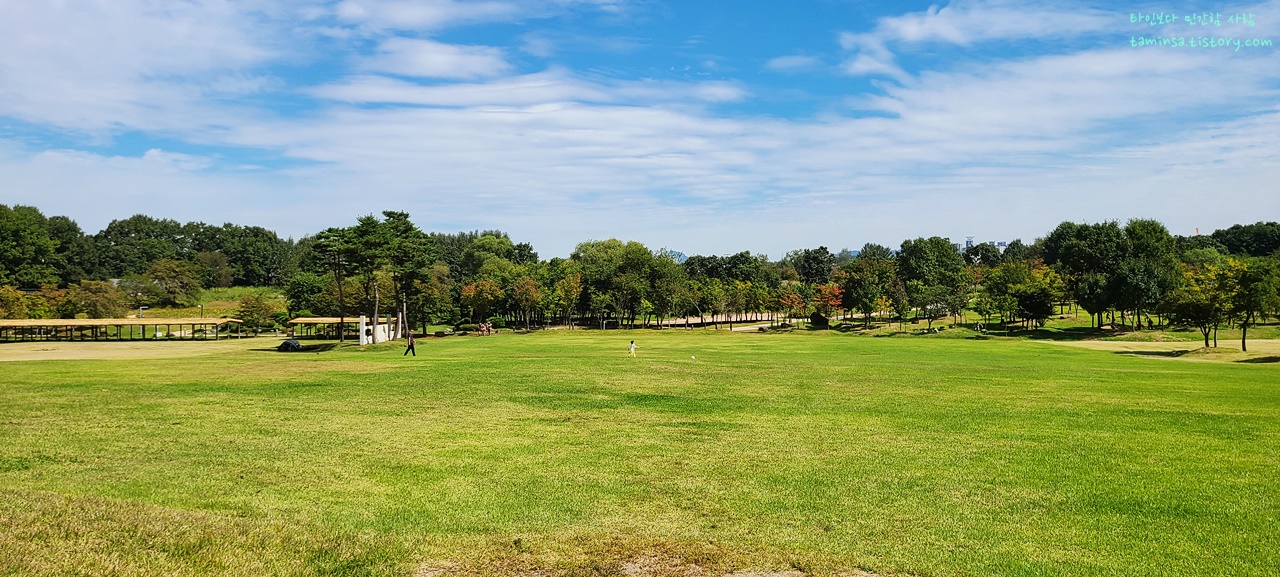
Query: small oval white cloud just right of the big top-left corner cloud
x=432, y=59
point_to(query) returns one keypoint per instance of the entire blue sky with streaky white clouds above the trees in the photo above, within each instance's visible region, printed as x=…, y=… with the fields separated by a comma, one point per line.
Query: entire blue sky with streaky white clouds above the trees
x=706, y=127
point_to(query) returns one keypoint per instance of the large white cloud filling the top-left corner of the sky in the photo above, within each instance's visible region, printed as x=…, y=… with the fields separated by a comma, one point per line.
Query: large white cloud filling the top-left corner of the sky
x=98, y=66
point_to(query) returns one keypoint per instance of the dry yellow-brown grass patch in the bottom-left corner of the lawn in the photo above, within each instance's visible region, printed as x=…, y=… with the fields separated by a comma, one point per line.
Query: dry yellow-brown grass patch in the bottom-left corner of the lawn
x=51, y=534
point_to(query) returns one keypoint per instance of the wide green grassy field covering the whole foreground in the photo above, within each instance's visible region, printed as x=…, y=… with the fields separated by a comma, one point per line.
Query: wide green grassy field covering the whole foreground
x=552, y=454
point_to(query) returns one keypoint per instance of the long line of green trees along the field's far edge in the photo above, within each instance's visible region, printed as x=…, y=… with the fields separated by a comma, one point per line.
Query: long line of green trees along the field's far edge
x=1136, y=276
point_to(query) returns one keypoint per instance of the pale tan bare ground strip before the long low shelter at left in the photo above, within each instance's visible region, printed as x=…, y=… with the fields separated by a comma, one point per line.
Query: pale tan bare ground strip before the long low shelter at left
x=129, y=350
